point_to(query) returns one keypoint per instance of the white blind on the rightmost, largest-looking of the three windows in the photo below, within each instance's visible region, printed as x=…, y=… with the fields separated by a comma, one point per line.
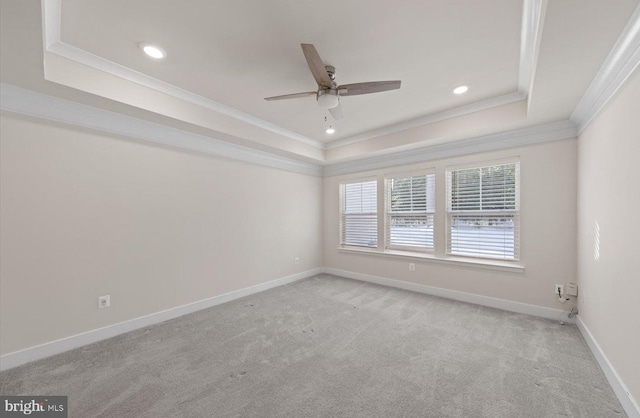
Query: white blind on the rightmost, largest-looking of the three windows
x=483, y=206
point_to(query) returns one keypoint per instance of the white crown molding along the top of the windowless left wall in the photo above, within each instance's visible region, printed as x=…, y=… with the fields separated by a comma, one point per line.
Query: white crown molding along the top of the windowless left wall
x=26, y=102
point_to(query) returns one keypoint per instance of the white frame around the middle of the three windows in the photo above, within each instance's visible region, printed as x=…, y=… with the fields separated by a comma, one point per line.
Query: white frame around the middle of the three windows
x=387, y=215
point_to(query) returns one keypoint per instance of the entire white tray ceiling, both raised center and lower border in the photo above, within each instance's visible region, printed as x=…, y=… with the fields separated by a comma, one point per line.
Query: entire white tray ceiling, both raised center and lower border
x=237, y=53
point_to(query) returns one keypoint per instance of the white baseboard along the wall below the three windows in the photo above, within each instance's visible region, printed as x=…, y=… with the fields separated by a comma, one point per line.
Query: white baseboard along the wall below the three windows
x=507, y=305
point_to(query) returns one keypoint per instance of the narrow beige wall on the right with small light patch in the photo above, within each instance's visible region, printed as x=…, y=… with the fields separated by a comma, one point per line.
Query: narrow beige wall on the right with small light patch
x=609, y=195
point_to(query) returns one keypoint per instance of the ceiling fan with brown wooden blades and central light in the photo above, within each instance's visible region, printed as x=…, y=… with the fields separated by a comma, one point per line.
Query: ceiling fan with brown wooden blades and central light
x=328, y=92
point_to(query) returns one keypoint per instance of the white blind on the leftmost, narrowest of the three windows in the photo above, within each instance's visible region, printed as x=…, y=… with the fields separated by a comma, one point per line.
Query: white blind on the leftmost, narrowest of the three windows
x=359, y=214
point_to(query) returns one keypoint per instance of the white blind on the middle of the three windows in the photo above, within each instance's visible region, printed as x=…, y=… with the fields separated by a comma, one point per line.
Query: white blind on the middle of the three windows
x=409, y=209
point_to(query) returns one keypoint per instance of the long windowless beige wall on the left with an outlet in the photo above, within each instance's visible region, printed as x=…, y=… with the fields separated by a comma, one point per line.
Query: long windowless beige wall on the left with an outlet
x=85, y=214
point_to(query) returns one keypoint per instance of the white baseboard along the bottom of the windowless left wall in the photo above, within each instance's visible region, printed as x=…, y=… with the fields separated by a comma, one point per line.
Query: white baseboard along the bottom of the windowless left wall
x=17, y=358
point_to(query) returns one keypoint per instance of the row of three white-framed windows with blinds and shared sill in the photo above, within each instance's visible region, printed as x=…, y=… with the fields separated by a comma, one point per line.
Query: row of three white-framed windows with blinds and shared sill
x=477, y=219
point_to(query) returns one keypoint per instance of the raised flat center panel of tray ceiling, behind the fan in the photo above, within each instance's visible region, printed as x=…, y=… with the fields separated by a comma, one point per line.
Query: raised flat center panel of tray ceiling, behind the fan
x=239, y=52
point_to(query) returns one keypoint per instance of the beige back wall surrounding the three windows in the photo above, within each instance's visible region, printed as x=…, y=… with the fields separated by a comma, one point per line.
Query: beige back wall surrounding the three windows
x=548, y=244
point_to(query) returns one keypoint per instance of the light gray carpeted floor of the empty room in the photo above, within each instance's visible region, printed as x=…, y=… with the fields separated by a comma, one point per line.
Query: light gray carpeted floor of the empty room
x=331, y=347
